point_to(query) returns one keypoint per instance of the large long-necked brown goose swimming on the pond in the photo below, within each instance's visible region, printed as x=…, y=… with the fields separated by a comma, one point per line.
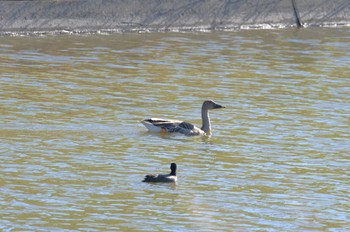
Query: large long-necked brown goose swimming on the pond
x=164, y=125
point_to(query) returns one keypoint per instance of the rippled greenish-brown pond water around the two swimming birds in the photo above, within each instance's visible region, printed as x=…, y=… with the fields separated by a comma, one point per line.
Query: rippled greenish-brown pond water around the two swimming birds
x=73, y=153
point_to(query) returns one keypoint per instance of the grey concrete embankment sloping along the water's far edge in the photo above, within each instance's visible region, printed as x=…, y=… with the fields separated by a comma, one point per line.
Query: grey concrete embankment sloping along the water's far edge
x=167, y=15
